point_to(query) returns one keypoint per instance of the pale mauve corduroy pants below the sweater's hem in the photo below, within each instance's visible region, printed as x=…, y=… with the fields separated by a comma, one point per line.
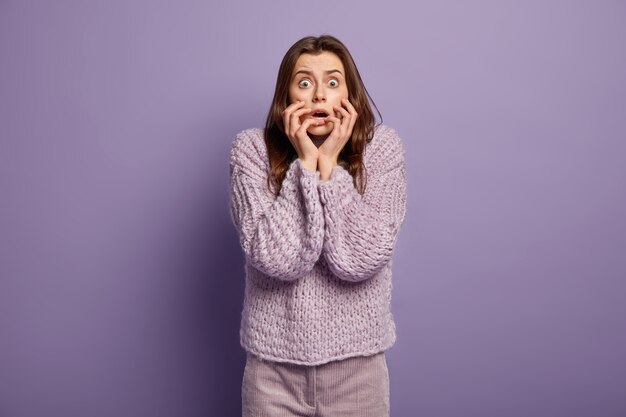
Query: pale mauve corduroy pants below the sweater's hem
x=357, y=386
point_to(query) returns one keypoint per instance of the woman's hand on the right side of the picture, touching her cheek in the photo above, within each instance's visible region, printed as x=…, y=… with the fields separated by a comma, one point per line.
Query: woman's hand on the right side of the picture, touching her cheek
x=339, y=136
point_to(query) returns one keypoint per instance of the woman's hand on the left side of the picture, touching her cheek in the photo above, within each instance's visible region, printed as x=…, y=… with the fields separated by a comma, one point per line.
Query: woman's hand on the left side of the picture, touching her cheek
x=296, y=132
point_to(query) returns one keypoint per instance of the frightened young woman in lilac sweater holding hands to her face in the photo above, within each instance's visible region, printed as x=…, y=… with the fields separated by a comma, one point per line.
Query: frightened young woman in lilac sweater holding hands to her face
x=317, y=197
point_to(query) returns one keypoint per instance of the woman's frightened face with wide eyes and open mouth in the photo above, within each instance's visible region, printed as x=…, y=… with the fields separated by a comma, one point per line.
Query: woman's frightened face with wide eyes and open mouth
x=319, y=80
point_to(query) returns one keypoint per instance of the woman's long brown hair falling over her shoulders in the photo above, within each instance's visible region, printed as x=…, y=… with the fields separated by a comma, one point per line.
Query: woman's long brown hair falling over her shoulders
x=281, y=152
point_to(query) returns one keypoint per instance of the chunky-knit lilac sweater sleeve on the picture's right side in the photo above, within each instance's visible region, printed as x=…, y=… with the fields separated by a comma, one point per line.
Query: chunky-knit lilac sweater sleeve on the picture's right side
x=361, y=230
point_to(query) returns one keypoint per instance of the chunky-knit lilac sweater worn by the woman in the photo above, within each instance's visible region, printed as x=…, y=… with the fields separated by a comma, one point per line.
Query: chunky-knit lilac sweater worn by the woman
x=318, y=255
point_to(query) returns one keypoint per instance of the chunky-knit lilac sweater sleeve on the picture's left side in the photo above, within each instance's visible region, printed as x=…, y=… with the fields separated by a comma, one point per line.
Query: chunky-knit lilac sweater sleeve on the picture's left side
x=282, y=235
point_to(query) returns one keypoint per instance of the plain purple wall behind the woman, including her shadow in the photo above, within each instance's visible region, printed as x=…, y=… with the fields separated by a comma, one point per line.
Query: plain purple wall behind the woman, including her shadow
x=121, y=273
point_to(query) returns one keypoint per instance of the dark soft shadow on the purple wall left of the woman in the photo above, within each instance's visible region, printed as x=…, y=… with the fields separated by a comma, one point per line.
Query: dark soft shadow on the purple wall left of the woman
x=214, y=285
